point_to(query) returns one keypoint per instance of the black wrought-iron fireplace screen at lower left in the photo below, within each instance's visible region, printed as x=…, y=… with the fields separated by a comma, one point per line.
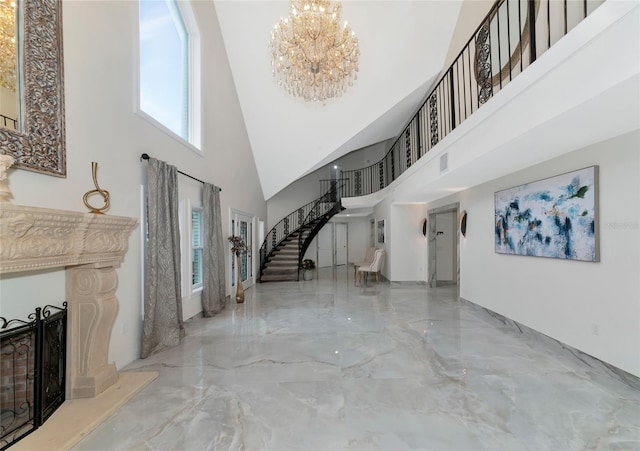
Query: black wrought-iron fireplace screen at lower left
x=32, y=371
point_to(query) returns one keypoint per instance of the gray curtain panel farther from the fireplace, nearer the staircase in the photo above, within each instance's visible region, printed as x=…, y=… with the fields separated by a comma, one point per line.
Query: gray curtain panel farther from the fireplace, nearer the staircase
x=213, y=266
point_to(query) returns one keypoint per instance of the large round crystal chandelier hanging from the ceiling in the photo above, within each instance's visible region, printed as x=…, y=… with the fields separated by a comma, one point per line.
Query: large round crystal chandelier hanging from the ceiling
x=313, y=56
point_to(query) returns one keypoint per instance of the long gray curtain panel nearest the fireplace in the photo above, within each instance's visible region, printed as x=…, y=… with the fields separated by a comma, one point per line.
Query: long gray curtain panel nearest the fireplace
x=163, y=327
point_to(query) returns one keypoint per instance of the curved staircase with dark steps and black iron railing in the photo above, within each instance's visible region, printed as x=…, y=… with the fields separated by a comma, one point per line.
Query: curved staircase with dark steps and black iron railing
x=285, y=245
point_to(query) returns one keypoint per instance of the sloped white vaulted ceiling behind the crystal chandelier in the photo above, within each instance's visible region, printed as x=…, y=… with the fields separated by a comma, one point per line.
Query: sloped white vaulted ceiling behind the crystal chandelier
x=403, y=45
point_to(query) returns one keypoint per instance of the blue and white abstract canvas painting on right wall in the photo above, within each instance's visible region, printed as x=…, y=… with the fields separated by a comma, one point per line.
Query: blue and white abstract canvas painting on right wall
x=554, y=217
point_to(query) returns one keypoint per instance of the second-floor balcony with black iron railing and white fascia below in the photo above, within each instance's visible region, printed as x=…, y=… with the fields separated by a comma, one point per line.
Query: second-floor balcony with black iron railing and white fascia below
x=536, y=80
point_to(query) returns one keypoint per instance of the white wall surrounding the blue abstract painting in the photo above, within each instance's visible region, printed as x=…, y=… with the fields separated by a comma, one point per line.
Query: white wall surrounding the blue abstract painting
x=594, y=307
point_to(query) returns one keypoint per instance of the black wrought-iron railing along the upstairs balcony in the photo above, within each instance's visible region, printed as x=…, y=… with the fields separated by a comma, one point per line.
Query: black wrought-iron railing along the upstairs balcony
x=508, y=40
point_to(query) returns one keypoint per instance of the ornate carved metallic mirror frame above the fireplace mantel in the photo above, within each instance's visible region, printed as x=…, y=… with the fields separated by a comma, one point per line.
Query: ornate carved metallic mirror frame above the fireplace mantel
x=36, y=137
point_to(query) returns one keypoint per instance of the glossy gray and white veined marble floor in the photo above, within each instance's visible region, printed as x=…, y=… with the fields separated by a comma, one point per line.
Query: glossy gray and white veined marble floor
x=327, y=365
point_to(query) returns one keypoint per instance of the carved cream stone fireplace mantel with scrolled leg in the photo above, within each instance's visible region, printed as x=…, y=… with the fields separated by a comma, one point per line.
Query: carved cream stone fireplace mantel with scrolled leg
x=90, y=247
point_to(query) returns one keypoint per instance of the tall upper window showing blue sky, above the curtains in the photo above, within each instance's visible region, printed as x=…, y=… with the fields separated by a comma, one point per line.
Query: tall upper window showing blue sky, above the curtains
x=169, y=88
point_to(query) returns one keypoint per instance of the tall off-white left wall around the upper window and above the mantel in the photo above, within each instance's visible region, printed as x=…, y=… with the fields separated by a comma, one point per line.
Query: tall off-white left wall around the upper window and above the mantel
x=100, y=40
